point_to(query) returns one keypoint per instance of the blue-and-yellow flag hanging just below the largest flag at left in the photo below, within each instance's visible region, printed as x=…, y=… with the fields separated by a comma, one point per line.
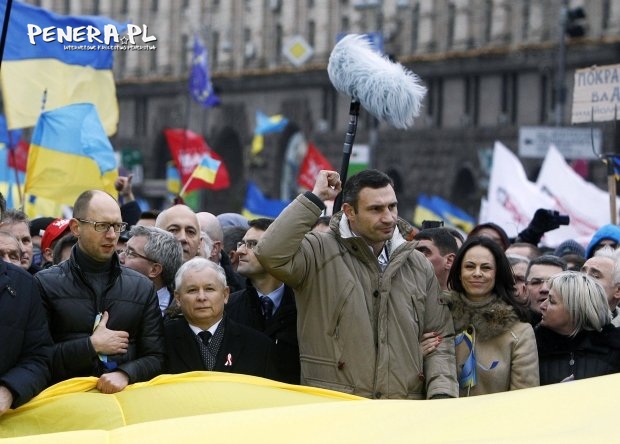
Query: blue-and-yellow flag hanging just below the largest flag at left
x=70, y=153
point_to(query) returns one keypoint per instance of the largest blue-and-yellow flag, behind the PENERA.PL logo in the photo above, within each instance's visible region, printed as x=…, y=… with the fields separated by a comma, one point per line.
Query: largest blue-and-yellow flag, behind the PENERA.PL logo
x=48, y=74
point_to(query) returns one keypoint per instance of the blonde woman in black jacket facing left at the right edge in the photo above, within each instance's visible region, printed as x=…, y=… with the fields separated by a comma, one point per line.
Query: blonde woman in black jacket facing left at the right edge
x=575, y=338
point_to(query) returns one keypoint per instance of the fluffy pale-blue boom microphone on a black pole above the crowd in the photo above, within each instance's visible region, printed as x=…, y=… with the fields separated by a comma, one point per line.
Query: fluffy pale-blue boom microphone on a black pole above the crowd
x=385, y=89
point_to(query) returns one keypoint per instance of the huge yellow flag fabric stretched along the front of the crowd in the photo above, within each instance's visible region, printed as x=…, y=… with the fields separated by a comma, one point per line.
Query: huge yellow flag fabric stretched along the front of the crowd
x=227, y=408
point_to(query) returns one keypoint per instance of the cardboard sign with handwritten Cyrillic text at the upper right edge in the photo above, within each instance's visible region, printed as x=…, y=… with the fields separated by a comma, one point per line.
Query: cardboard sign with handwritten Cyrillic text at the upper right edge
x=596, y=94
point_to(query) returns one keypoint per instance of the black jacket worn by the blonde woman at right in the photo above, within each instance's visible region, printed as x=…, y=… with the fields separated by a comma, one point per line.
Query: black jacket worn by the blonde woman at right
x=588, y=354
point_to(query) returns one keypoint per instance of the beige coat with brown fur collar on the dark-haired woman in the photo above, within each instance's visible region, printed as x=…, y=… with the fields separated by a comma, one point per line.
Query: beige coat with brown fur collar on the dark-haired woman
x=498, y=336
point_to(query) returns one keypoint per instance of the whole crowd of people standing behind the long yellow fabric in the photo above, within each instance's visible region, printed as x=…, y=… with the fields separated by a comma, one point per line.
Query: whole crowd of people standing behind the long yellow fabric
x=360, y=302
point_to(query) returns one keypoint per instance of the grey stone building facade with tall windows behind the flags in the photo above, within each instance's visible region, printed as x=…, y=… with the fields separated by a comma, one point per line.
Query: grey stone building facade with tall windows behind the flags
x=490, y=66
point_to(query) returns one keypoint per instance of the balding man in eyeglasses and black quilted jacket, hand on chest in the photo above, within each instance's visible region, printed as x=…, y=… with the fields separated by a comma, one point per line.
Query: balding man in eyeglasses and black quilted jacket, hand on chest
x=104, y=318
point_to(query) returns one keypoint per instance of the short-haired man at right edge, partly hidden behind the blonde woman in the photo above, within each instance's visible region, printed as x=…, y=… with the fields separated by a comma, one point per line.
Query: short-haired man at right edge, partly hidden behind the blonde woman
x=604, y=266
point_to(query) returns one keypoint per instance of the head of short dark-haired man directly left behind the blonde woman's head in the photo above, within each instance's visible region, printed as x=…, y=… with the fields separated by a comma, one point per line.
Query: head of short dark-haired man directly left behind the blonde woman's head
x=539, y=270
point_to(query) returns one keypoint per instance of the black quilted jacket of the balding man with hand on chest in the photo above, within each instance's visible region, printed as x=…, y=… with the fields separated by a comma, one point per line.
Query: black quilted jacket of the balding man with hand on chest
x=72, y=305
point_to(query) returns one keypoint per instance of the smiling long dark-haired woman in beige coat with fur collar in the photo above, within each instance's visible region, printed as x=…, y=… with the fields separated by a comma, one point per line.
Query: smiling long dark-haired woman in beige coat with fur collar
x=495, y=346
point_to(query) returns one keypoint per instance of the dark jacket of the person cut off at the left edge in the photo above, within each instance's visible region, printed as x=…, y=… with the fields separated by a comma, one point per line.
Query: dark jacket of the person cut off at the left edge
x=25, y=342
